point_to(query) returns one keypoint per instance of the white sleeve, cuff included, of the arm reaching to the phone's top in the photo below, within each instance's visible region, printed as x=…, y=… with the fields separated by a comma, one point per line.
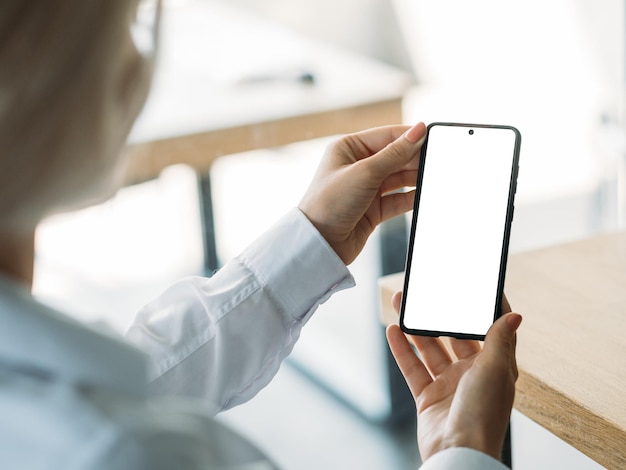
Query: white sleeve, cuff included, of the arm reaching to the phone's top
x=222, y=339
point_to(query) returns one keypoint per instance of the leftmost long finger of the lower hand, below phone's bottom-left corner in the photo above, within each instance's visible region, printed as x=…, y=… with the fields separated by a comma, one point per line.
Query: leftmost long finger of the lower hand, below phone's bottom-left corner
x=413, y=370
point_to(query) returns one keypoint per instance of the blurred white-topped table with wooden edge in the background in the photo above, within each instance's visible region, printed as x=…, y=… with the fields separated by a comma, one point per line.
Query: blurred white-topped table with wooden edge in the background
x=213, y=92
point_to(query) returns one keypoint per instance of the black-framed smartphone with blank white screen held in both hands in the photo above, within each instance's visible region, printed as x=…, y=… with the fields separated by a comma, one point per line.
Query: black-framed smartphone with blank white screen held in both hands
x=458, y=244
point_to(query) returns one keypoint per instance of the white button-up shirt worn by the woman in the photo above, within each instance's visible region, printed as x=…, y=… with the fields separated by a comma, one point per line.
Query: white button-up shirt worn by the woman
x=73, y=397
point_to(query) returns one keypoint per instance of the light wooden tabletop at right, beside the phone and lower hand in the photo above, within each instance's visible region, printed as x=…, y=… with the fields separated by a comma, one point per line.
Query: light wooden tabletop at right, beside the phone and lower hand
x=572, y=343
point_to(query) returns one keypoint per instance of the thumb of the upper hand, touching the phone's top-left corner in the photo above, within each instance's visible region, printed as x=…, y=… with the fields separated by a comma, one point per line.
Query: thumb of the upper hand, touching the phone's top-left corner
x=399, y=153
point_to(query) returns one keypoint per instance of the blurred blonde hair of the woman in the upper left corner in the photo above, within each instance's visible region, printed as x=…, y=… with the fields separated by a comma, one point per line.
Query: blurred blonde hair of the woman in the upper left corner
x=69, y=92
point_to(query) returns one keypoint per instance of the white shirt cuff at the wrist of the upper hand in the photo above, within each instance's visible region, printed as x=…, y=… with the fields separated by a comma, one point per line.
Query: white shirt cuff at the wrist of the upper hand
x=297, y=263
